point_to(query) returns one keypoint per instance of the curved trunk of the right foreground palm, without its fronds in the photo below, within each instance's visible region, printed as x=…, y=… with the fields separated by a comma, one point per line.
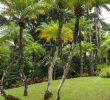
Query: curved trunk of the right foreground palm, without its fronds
x=78, y=14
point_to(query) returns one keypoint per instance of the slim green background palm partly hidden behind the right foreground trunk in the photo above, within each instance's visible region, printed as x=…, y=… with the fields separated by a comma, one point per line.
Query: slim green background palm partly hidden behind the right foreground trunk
x=84, y=28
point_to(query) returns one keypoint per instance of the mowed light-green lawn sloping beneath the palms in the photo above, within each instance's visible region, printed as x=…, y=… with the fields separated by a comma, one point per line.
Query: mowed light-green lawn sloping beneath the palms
x=85, y=88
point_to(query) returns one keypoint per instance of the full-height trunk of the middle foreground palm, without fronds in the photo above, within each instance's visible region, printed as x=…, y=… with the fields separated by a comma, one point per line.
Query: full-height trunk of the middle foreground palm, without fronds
x=48, y=92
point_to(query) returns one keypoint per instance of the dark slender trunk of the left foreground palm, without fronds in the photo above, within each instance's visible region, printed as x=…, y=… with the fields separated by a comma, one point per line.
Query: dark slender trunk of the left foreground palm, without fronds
x=21, y=59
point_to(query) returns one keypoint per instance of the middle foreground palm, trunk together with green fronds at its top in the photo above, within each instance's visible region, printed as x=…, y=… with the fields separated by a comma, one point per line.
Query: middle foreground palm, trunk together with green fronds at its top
x=60, y=5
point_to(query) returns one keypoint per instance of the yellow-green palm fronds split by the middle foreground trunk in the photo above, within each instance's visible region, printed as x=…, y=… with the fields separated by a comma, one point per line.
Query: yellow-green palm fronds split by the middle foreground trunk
x=50, y=32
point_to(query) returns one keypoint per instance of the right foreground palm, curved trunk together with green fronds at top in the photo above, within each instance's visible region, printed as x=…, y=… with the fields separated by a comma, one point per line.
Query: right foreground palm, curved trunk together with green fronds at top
x=76, y=6
